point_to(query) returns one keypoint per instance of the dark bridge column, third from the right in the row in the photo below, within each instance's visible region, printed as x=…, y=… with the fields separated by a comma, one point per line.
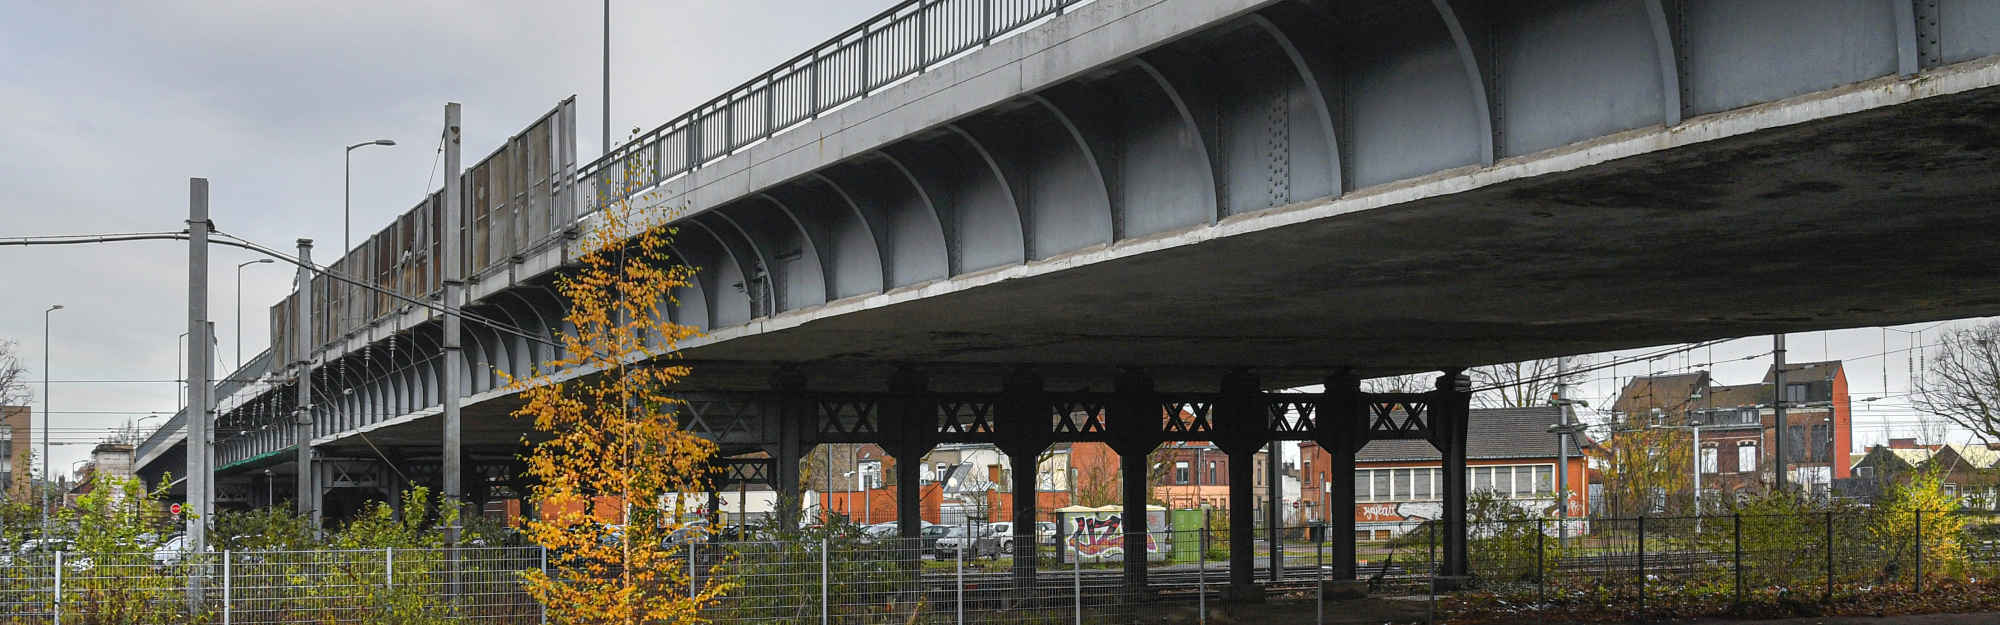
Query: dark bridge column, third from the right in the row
x=1241, y=424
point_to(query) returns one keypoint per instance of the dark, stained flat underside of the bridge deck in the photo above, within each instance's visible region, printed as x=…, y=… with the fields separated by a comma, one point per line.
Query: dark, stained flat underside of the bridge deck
x=1869, y=219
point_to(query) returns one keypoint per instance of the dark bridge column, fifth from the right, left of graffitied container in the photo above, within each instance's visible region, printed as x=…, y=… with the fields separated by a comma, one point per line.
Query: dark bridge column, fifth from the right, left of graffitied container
x=1023, y=422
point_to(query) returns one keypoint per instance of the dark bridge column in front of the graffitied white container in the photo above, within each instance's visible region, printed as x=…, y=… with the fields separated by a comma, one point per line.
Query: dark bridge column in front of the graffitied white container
x=1137, y=420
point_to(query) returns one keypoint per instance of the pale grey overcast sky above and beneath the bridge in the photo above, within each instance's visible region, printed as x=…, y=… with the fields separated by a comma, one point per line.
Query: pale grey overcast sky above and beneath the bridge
x=111, y=107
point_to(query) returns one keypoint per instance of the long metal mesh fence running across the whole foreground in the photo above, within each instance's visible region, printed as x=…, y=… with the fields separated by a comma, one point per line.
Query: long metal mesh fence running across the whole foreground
x=1653, y=566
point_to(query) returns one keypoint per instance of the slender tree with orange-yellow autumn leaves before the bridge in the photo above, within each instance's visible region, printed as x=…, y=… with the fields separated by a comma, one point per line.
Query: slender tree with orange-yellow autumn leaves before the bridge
x=615, y=462
